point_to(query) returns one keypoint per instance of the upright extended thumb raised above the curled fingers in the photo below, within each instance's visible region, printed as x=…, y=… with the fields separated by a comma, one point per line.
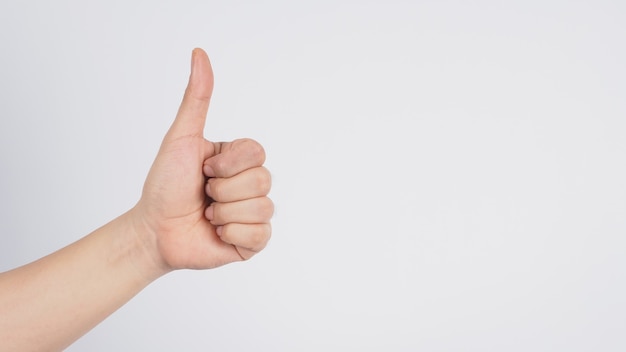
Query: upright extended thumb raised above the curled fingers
x=192, y=112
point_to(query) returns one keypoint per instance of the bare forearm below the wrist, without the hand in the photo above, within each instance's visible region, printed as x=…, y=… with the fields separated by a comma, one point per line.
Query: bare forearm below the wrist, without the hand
x=48, y=304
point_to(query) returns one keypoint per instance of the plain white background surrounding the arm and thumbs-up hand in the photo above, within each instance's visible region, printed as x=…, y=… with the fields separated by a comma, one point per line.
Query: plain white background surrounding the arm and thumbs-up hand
x=448, y=175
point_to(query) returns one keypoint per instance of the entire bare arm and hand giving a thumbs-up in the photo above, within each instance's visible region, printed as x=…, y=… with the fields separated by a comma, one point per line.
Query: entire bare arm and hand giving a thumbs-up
x=204, y=204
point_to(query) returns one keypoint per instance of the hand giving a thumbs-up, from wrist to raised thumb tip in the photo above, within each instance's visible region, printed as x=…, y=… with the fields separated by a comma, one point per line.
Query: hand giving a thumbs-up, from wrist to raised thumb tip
x=204, y=204
